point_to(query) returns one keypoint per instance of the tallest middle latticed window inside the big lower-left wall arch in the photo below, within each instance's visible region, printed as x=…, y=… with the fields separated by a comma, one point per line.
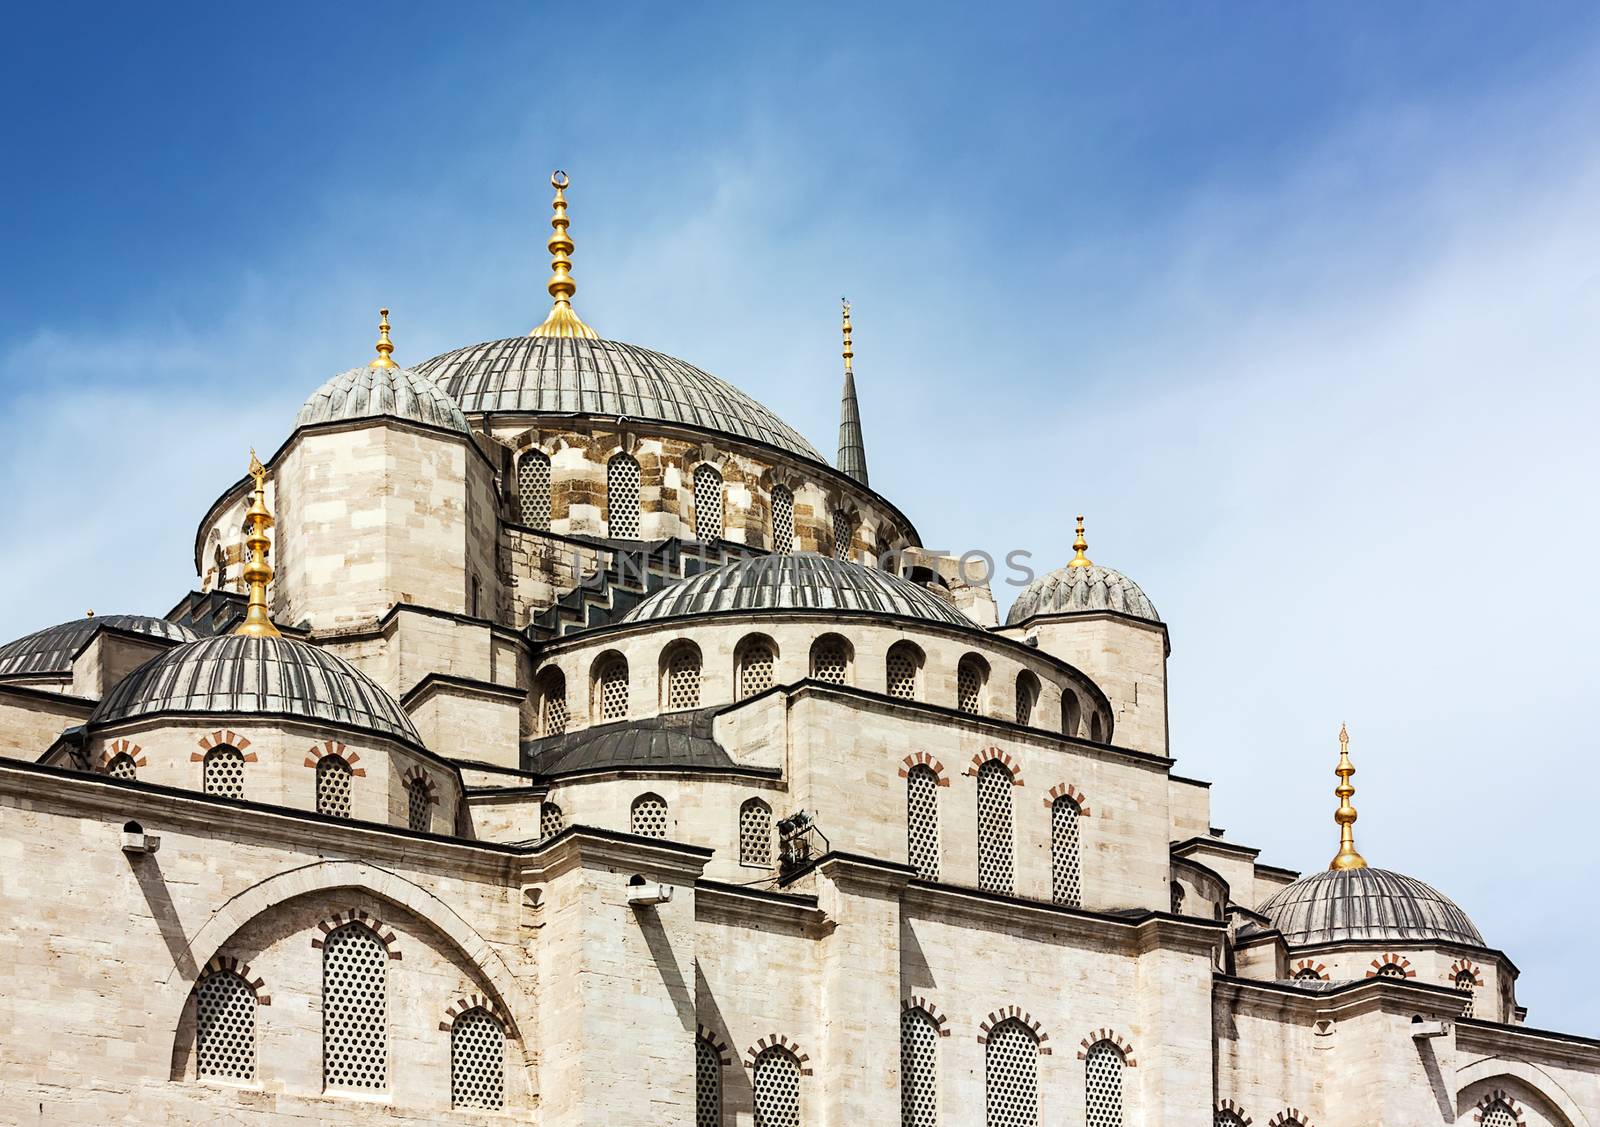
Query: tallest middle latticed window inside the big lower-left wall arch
x=354, y=1009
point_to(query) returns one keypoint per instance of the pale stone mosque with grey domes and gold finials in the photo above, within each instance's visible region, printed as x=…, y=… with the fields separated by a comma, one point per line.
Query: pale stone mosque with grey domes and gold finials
x=553, y=736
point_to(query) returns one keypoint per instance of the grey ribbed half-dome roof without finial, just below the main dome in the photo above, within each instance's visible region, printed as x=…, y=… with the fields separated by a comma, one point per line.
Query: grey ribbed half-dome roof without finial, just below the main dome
x=796, y=584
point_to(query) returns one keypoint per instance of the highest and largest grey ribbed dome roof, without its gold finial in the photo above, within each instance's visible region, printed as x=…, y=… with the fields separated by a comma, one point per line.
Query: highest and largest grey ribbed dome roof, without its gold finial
x=558, y=375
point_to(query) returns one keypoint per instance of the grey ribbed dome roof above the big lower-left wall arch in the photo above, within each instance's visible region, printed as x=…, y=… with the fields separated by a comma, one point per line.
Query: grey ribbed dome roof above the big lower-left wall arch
x=270, y=676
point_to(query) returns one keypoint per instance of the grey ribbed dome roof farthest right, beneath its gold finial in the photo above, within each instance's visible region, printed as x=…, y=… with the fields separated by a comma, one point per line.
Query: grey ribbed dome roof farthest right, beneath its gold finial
x=1356, y=905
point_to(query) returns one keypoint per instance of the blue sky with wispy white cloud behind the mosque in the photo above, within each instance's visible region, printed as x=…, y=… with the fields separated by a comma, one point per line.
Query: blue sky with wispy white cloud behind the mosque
x=1298, y=305
